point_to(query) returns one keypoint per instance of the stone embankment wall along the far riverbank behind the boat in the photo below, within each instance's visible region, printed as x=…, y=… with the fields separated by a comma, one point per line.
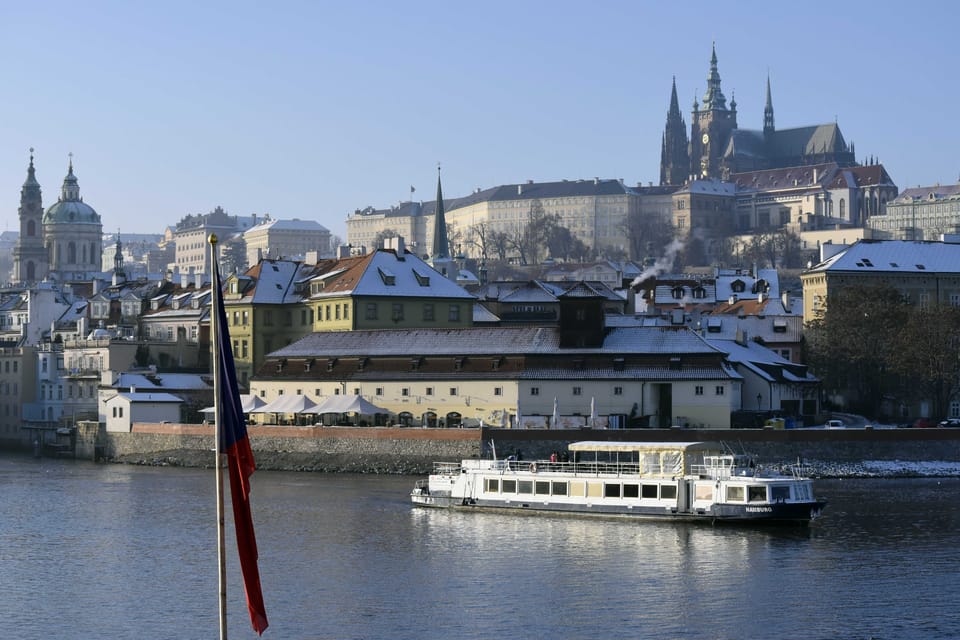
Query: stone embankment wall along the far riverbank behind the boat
x=413, y=450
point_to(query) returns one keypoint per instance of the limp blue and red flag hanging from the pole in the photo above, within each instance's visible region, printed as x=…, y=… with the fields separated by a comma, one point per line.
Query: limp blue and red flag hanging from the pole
x=235, y=443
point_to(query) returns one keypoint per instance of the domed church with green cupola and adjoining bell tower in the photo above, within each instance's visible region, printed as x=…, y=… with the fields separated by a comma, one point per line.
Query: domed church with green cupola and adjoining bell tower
x=63, y=243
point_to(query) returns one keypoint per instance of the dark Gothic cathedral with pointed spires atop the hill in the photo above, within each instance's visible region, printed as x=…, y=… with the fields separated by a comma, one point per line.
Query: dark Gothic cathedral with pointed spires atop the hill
x=718, y=148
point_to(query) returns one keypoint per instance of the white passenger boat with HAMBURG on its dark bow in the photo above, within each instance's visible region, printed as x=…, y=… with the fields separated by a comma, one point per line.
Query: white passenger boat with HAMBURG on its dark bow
x=661, y=480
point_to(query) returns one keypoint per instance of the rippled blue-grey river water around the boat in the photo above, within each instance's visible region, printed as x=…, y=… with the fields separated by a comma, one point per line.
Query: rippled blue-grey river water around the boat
x=115, y=551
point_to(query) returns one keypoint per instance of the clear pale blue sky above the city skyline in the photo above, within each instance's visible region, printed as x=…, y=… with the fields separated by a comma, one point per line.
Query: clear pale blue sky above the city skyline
x=314, y=109
